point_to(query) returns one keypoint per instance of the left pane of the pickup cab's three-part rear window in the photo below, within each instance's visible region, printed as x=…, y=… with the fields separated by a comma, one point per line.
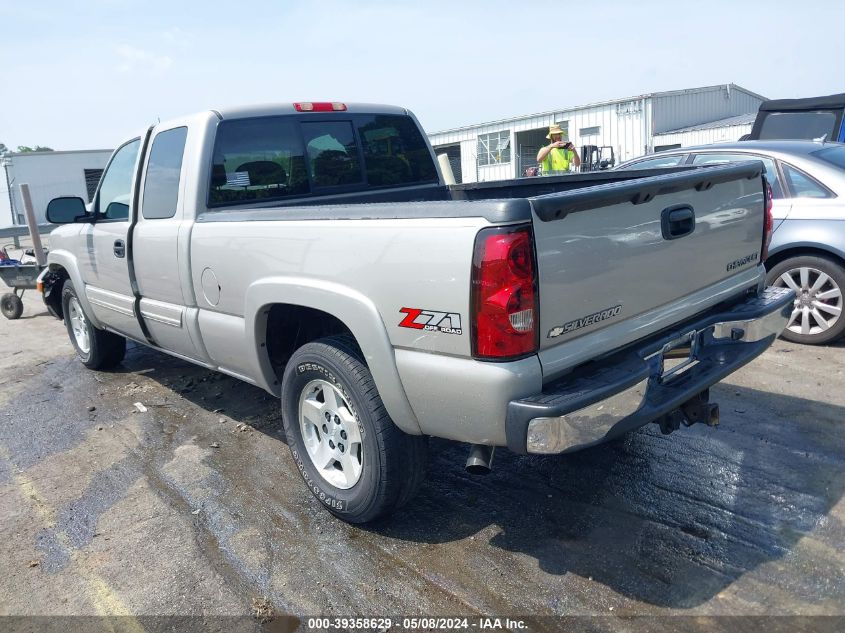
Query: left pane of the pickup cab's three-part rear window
x=257, y=159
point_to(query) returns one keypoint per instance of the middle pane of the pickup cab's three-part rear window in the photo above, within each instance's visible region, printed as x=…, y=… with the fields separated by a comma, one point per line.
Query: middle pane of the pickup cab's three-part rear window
x=332, y=153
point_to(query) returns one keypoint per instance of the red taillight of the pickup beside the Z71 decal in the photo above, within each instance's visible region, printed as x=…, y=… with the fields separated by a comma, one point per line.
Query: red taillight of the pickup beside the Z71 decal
x=504, y=294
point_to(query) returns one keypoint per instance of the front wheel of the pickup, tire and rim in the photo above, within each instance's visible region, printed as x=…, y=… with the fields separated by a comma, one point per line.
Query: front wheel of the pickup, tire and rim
x=97, y=349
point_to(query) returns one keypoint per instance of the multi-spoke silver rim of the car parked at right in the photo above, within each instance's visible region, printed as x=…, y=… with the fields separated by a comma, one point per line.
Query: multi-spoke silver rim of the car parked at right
x=818, y=301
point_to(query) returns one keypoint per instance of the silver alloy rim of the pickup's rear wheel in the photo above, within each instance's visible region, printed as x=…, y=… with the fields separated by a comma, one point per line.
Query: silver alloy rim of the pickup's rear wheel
x=330, y=434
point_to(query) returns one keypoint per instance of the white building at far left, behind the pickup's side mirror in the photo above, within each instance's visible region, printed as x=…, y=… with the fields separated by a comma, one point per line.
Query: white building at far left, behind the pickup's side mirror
x=49, y=175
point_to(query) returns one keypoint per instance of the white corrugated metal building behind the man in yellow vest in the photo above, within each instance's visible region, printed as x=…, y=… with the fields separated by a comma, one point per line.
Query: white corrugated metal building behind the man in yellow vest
x=504, y=149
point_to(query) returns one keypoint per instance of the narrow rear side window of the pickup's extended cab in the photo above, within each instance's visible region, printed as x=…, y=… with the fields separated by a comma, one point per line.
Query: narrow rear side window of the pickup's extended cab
x=161, y=186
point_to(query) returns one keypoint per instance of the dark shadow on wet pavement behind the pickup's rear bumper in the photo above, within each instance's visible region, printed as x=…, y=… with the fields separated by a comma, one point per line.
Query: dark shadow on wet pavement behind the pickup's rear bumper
x=670, y=521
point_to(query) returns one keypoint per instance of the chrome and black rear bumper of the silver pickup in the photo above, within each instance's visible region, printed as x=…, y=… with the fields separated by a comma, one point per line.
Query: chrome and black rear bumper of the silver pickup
x=620, y=393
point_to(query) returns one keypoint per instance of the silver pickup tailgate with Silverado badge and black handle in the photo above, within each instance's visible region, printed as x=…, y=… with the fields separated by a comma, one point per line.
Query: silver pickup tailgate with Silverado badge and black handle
x=638, y=252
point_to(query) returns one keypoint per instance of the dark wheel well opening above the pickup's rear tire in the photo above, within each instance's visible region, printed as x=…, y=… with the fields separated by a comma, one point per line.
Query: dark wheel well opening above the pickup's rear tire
x=289, y=327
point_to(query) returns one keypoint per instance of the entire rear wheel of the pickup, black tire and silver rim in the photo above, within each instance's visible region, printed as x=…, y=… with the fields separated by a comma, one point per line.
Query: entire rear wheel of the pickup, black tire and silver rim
x=352, y=456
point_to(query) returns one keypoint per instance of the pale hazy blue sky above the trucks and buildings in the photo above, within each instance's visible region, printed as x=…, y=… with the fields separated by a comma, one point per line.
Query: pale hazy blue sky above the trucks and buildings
x=86, y=75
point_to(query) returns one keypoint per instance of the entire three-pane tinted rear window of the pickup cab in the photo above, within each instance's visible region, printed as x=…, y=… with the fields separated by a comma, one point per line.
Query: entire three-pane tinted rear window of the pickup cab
x=276, y=158
